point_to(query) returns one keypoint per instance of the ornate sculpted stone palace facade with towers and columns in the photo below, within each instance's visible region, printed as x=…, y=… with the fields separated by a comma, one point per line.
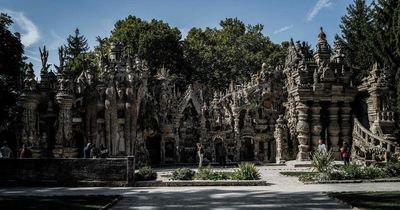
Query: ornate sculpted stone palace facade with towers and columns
x=279, y=115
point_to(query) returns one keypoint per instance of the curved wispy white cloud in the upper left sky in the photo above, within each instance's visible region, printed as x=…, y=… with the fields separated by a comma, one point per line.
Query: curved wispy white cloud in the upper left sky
x=30, y=33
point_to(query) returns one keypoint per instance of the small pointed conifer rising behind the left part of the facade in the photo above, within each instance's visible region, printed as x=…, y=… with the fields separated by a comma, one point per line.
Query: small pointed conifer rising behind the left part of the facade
x=76, y=50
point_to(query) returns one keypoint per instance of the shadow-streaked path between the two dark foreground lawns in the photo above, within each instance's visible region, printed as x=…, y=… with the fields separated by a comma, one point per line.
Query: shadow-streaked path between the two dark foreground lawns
x=226, y=199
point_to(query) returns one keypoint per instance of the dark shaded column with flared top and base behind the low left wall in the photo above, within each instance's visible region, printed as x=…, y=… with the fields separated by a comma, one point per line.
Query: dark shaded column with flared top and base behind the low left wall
x=65, y=147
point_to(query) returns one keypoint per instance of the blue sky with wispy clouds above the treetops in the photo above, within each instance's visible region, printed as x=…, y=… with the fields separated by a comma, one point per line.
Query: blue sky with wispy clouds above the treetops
x=49, y=22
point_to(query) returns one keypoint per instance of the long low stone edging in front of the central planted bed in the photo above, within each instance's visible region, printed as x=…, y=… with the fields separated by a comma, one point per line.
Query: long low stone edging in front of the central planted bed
x=182, y=183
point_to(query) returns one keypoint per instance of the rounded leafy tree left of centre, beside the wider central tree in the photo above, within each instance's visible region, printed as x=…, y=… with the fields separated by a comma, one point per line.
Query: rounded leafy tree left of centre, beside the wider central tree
x=155, y=41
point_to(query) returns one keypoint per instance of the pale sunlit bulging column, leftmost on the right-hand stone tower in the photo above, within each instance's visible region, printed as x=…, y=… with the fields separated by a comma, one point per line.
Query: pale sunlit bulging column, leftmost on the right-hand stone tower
x=303, y=130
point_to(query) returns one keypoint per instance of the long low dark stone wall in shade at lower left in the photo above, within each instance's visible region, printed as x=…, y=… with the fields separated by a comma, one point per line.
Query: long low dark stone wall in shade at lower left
x=67, y=172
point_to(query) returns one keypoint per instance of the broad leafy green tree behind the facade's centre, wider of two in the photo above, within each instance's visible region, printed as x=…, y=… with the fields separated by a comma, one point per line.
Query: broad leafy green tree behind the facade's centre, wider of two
x=232, y=53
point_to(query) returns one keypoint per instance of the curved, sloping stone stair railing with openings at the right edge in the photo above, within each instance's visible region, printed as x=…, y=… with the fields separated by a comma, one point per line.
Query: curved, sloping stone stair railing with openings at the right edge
x=370, y=147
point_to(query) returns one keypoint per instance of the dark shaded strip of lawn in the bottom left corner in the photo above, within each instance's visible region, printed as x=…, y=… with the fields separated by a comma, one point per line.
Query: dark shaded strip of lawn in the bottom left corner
x=55, y=202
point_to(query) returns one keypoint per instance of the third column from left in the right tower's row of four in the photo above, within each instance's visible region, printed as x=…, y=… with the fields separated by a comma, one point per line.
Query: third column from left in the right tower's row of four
x=334, y=130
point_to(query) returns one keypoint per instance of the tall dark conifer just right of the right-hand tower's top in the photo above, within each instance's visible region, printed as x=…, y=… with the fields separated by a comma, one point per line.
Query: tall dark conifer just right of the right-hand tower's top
x=357, y=33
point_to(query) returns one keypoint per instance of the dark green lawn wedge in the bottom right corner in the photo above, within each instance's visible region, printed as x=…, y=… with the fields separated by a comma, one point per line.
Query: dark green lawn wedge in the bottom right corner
x=370, y=200
